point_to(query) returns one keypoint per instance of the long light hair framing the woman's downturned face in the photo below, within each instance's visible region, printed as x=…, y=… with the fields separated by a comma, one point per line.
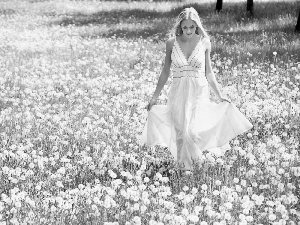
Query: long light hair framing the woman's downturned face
x=188, y=13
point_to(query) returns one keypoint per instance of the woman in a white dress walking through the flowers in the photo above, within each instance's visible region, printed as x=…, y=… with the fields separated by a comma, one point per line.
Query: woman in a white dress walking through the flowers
x=190, y=124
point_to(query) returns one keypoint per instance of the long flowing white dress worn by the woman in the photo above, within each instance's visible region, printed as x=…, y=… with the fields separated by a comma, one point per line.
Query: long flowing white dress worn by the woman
x=190, y=124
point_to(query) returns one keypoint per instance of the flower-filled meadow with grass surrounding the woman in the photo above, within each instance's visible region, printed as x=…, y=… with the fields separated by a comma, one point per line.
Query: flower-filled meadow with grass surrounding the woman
x=75, y=77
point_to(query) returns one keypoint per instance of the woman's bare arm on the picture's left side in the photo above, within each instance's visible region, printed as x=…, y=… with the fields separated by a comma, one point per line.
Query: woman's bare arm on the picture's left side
x=165, y=73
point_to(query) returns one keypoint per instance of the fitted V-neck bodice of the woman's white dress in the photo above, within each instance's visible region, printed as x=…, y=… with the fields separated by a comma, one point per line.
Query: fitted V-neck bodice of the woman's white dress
x=194, y=63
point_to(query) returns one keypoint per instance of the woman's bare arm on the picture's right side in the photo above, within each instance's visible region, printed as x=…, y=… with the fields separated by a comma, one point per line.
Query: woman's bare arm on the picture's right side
x=211, y=78
